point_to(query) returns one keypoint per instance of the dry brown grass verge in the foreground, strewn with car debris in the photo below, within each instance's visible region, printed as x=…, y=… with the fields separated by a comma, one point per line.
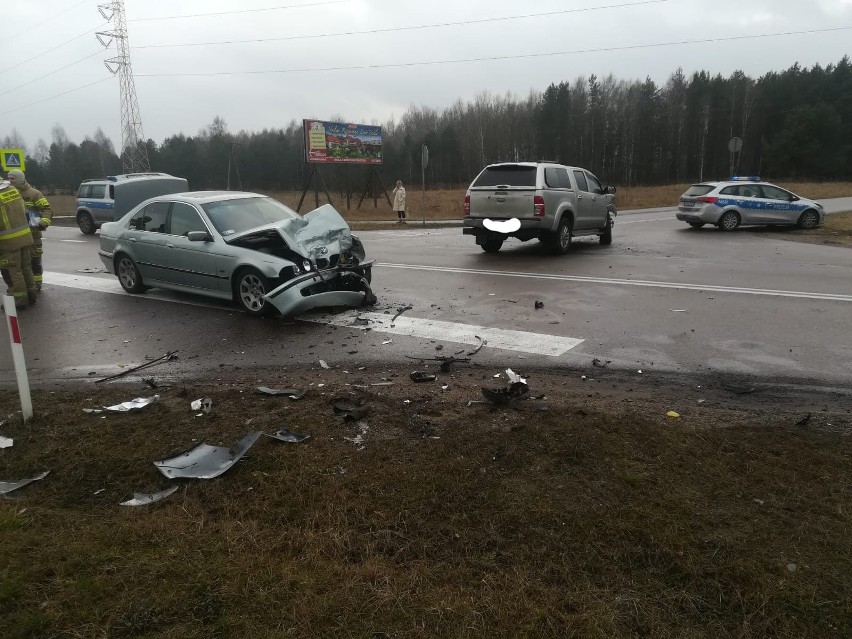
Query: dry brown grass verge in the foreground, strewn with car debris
x=597, y=518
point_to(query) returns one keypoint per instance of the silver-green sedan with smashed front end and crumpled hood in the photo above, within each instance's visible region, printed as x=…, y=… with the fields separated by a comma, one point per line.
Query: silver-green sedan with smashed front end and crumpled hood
x=237, y=246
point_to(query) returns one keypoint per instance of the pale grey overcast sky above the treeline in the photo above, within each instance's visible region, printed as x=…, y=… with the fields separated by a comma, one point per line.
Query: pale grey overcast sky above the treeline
x=55, y=51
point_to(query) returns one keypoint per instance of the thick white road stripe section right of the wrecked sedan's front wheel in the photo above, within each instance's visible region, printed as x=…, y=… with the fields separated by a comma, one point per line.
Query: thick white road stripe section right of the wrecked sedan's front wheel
x=523, y=341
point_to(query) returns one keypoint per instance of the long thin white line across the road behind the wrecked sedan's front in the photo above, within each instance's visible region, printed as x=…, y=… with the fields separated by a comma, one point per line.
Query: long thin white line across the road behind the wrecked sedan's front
x=833, y=297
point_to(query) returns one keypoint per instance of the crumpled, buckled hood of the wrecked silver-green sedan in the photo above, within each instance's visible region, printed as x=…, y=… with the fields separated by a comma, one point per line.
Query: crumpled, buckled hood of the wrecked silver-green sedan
x=315, y=235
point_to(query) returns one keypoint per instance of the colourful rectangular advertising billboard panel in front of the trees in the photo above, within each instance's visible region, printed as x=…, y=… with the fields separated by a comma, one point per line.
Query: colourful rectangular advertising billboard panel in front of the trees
x=341, y=142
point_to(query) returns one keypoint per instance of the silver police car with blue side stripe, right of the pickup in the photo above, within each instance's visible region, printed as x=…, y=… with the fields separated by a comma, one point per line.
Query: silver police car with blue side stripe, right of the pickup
x=746, y=200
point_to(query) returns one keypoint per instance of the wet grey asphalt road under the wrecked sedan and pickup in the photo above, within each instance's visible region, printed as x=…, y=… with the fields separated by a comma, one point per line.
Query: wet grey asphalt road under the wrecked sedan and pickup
x=663, y=297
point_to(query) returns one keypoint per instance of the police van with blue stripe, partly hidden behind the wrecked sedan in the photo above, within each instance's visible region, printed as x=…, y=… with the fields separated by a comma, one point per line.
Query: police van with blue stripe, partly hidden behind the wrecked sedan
x=108, y=199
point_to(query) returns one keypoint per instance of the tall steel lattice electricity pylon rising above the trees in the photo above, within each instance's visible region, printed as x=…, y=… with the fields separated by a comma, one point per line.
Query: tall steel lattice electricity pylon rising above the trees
x=134, y=153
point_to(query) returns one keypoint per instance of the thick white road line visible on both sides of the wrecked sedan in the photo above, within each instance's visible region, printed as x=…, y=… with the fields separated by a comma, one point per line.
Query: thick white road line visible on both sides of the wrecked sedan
x=523, y=341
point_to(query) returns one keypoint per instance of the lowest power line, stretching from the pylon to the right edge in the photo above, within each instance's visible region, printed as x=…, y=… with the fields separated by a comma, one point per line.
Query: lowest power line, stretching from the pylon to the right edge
x=502, y=57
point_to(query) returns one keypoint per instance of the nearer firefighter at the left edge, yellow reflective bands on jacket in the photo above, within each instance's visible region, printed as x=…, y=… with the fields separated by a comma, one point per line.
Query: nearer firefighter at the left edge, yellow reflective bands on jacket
x=16, y=242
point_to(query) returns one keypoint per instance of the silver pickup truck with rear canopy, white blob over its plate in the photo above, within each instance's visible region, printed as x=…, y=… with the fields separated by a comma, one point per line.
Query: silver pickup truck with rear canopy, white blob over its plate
x=537, y=200
